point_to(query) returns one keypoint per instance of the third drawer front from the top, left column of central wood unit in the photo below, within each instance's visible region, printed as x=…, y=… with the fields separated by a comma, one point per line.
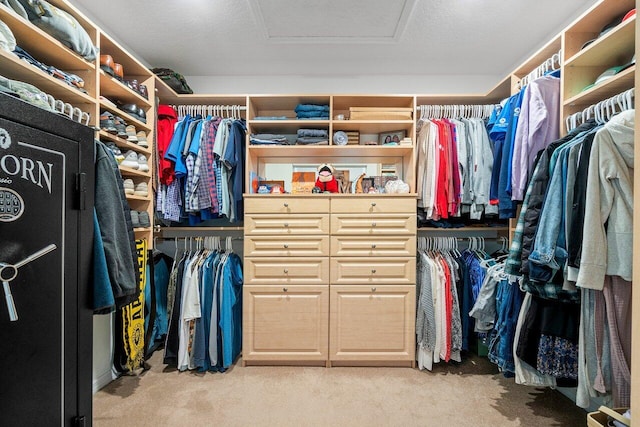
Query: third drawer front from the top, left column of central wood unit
x=286, y=246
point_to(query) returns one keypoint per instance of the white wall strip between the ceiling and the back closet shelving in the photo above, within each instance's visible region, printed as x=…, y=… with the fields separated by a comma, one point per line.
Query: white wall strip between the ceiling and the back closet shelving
x=337, y=84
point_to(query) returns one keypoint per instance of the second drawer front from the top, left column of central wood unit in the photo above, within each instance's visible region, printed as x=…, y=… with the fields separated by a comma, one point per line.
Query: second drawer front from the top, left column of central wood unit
x=286, y=225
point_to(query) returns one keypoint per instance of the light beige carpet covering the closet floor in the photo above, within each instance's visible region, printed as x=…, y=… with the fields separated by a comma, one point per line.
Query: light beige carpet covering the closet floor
x=470, y=394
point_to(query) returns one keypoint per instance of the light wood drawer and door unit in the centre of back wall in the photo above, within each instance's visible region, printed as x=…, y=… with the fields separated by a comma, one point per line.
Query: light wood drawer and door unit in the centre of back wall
x=361, y=248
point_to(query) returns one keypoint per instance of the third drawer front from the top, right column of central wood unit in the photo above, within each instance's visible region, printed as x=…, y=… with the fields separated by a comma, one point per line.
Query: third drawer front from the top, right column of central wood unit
x=373, y=245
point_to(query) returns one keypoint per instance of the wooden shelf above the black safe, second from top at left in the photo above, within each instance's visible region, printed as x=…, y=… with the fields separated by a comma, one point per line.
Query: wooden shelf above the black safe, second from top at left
x=14, y=68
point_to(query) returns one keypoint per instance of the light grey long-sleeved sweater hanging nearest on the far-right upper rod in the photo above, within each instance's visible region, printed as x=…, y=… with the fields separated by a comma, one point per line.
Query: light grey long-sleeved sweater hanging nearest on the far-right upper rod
x=609, y=201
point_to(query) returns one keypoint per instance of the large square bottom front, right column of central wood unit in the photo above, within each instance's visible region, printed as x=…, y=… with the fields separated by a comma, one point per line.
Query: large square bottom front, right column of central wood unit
x=371, y=324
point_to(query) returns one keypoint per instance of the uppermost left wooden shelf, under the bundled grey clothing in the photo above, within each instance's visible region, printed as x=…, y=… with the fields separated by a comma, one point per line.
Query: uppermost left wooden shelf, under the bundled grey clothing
x=42, y=46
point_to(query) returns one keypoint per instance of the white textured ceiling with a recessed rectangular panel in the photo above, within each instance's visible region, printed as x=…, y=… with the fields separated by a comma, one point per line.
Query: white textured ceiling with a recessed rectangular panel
x=333, y=37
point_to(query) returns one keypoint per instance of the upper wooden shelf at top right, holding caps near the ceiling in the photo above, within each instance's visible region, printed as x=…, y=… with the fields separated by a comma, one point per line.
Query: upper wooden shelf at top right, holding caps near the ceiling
x=614, y=48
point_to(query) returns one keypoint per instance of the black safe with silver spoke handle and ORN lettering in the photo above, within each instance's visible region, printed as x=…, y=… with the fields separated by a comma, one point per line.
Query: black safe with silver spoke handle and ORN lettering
x=46, y=236
